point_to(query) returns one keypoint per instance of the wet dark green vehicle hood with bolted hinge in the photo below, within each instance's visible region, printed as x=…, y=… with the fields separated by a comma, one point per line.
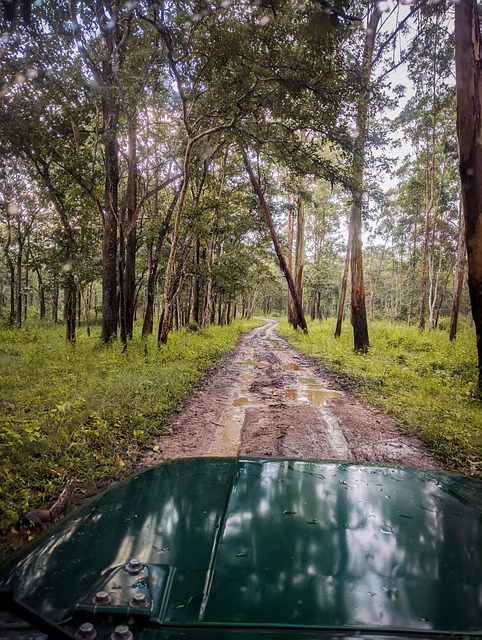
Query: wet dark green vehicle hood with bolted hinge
x=240, y=547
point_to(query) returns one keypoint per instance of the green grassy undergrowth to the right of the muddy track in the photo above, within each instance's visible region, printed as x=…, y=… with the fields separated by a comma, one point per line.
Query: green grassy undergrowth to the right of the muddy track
x=421, y=379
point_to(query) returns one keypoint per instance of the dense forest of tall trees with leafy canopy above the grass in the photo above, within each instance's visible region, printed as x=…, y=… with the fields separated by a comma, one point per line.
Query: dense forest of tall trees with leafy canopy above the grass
x=154, y=153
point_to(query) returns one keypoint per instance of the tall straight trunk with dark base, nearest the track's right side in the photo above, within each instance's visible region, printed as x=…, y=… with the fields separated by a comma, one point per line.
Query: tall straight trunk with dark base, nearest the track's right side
x=358, y=306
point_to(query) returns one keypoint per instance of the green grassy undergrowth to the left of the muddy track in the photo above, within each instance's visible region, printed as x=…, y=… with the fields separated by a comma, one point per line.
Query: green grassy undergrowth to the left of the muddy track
x=81, y=411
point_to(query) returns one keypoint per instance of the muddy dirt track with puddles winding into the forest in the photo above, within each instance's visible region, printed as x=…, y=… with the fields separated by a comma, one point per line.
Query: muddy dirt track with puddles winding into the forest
x=266, y=399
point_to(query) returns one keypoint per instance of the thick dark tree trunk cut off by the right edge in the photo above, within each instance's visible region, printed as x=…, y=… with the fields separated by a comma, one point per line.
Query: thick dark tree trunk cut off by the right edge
x=468, y=64
